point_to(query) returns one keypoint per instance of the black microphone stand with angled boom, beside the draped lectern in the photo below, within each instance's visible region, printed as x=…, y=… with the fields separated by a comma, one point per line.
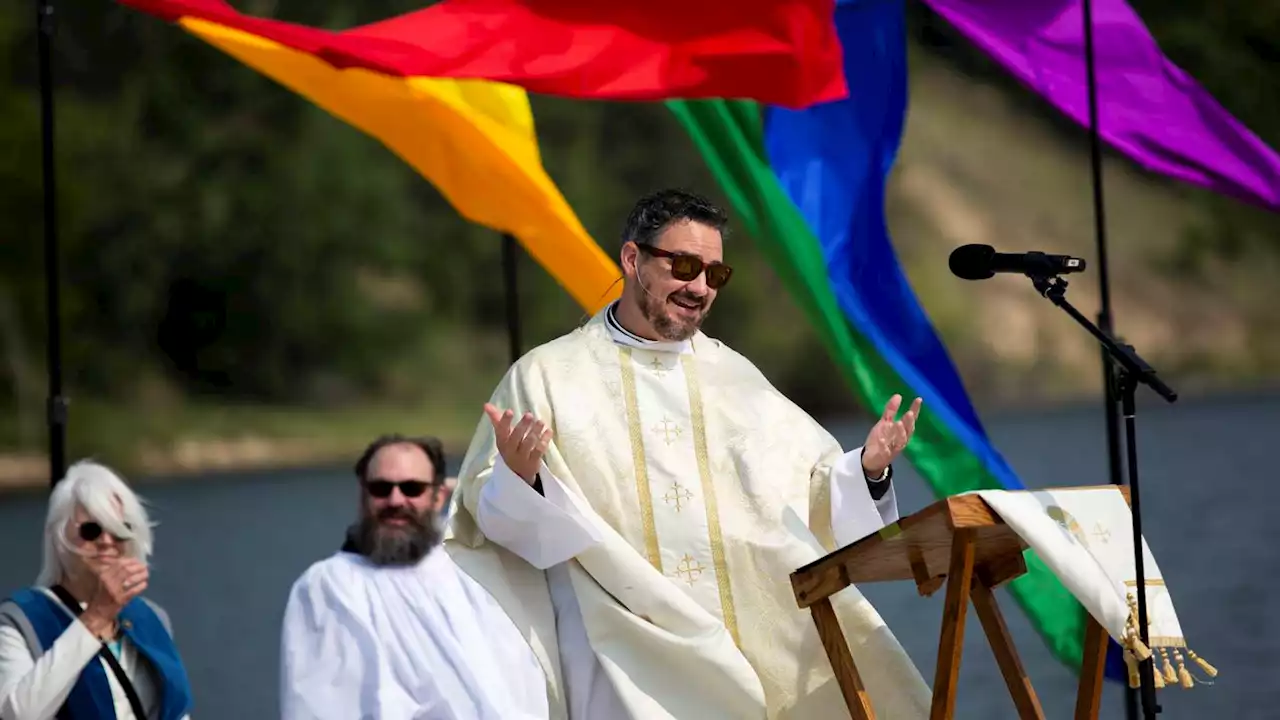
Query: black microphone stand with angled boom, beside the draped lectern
x=1132, y=372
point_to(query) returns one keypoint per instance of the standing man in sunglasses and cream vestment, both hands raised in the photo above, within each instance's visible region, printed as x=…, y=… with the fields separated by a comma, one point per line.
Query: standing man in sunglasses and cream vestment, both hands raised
x=639, y=495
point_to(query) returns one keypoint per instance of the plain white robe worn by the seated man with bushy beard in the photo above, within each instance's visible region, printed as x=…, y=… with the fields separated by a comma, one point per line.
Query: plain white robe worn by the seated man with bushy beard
x=404, y=644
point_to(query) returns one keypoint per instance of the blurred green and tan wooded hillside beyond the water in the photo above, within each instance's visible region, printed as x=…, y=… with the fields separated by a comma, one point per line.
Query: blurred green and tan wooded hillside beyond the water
x=249, y=280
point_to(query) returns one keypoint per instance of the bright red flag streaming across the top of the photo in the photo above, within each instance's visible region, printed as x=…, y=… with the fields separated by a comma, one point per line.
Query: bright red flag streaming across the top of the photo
x=779, y=52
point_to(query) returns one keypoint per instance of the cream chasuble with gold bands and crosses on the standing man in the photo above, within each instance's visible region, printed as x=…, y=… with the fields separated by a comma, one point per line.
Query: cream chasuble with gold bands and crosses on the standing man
x=689, y=491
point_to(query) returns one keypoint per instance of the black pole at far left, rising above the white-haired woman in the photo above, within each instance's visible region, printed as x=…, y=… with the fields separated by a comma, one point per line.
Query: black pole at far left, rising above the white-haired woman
x=57, y=408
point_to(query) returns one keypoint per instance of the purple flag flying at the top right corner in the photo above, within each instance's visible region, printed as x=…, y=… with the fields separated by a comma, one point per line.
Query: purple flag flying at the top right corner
x=1149, y=108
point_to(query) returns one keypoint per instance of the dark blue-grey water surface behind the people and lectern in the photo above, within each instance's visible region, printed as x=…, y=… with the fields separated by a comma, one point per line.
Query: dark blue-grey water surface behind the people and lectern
x=230, y=548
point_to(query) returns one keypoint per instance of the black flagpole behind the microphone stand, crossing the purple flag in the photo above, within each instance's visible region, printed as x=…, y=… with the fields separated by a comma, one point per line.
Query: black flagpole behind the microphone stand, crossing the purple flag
x=1100, y=231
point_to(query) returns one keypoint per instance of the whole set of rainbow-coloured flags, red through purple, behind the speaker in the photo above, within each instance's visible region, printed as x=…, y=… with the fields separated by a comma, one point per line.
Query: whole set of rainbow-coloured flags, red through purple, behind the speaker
x=806, y=171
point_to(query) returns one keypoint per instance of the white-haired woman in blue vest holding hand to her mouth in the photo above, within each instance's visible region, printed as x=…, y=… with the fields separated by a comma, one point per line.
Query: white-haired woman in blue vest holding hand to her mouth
x=84, y=644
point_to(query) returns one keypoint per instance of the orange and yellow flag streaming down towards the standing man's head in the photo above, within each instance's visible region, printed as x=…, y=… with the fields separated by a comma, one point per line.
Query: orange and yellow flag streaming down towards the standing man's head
x=473, y=140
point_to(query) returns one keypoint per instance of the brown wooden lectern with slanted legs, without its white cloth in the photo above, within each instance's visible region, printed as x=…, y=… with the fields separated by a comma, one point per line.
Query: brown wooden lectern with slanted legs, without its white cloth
x=962, y=543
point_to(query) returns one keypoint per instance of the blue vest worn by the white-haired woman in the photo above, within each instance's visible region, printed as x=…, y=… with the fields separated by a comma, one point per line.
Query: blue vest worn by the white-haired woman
x=92, y=696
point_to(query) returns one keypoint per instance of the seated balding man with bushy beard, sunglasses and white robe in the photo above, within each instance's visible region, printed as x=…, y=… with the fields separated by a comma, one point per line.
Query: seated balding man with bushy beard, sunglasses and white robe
x=390, y=627
